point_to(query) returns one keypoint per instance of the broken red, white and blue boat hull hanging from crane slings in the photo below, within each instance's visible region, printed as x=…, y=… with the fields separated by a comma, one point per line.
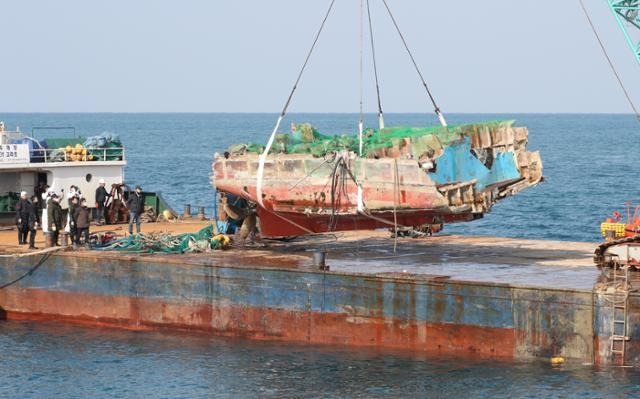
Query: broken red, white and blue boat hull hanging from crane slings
x=458, y=182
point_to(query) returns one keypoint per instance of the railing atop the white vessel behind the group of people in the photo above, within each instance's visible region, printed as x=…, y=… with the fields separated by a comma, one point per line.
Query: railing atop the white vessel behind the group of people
x=91, y=154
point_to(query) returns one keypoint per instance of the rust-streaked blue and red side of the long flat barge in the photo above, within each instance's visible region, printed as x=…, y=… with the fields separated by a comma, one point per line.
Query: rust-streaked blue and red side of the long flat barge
x=270, y=295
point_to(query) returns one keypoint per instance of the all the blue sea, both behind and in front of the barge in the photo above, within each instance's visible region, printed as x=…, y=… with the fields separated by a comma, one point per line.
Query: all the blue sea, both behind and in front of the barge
x=590, y=168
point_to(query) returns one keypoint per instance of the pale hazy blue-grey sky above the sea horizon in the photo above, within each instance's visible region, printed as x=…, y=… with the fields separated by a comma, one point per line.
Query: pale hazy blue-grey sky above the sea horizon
x=490, y=56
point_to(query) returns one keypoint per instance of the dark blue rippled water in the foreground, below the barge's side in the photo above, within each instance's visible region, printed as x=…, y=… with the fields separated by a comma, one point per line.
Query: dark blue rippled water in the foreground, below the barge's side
x=50, y=360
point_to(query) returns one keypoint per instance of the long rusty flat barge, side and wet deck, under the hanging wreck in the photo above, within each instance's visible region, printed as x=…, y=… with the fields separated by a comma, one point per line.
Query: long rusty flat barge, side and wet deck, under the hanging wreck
x=482, y=296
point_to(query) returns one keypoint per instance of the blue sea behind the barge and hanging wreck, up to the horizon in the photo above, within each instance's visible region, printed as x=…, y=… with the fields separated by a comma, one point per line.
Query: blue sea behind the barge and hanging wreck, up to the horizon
x=590, y=161
